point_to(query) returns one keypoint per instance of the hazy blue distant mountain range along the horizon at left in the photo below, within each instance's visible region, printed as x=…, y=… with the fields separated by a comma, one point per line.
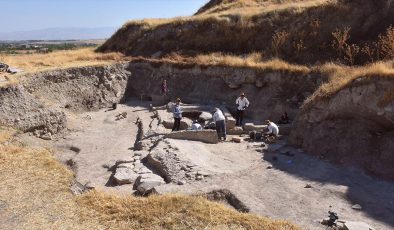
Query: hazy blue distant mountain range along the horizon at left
x=60, y=34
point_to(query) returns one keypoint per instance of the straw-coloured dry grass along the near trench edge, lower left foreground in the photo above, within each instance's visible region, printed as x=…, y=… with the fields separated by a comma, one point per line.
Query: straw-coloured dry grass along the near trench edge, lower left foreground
x=35, y=194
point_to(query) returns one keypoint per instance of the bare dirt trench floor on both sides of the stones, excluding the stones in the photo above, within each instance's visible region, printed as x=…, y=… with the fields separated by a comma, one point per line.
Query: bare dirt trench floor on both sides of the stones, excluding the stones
x=98, y=140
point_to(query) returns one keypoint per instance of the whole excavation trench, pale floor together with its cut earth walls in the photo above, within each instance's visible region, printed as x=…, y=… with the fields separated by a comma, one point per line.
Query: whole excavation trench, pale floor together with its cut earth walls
x=71, y=109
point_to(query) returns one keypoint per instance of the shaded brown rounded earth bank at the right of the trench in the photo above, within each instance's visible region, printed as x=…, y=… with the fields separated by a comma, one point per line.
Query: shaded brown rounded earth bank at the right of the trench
x=354, y=126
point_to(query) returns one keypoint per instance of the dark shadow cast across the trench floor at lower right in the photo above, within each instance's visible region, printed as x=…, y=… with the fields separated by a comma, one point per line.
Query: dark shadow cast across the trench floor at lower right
x=374, y=195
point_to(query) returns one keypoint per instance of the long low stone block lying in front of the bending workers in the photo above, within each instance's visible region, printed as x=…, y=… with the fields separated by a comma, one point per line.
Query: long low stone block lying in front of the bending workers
x=206, y=136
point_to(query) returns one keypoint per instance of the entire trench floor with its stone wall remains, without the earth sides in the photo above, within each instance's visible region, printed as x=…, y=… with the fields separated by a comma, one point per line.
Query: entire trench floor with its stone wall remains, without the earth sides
x=111, y=150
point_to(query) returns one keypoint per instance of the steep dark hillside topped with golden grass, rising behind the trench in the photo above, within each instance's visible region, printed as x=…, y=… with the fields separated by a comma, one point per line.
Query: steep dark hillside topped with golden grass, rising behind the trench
x=305, y=32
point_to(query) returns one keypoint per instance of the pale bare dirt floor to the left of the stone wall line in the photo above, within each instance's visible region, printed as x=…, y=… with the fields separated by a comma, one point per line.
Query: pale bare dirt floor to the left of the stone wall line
x=98, y=141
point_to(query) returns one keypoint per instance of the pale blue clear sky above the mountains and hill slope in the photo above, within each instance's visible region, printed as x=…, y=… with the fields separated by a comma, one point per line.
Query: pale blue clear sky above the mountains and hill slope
x=20, y=15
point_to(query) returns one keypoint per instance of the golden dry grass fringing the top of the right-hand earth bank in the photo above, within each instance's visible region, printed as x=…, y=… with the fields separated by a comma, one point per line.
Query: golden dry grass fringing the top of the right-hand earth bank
x=341, y=77
